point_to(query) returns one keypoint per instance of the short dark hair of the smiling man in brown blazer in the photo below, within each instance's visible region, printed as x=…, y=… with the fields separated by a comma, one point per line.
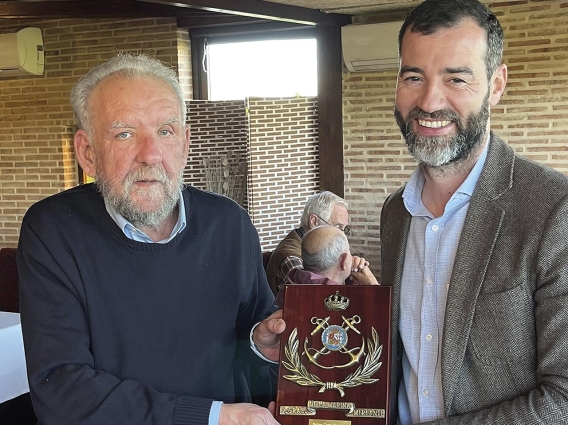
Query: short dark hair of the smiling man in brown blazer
x=432, y=15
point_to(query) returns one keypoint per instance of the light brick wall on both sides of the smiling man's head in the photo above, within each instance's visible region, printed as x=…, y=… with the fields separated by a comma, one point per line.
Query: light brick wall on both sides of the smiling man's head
x=532, y=115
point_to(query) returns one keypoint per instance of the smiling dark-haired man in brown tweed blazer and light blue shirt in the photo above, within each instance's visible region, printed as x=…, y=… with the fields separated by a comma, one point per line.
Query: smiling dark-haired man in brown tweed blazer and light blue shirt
x=475, y=244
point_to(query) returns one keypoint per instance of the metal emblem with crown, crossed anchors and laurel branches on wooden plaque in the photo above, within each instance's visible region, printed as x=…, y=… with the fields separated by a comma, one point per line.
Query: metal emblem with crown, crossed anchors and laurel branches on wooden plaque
x=334, y=338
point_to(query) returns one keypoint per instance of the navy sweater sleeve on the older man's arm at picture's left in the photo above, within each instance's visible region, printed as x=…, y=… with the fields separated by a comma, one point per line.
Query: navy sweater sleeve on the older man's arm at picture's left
x=65, y=385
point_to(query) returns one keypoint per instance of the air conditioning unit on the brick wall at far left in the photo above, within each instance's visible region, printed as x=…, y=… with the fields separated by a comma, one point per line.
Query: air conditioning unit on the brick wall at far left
x=21, y=53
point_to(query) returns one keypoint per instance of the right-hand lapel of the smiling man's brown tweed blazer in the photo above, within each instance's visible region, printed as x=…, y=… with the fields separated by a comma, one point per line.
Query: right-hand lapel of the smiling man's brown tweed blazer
x=477, y=241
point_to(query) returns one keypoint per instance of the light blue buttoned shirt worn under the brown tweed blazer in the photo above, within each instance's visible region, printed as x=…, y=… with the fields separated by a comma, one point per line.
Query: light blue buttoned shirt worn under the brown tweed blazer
x=429, y=260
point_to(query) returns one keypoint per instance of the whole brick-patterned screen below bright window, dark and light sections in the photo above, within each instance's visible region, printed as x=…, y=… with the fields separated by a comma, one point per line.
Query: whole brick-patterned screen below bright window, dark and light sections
x=278, y=139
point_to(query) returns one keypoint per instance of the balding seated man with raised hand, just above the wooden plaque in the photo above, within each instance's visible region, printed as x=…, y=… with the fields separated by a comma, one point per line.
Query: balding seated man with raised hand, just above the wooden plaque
x=327, y=261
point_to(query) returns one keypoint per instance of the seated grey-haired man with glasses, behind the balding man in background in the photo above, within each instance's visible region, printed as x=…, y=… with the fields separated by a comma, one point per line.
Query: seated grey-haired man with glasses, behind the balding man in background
x=321, y=208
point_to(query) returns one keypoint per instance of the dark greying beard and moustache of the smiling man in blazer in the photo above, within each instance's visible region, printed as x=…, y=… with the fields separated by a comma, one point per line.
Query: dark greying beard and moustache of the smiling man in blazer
x=444, y=150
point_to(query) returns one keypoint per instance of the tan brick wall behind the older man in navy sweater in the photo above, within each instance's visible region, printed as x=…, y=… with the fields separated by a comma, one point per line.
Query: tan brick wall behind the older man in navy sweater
x=36, y=140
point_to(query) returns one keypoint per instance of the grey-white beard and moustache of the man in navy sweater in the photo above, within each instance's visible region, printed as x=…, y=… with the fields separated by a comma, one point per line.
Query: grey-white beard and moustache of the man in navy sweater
x=120, y=199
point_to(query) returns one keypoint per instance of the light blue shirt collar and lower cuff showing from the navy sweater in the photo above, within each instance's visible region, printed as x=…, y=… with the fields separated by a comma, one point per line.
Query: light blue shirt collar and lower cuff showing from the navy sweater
x=132, y=232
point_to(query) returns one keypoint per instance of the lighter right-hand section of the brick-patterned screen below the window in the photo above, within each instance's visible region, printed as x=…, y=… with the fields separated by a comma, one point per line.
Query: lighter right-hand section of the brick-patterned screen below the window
x=283, y=164
